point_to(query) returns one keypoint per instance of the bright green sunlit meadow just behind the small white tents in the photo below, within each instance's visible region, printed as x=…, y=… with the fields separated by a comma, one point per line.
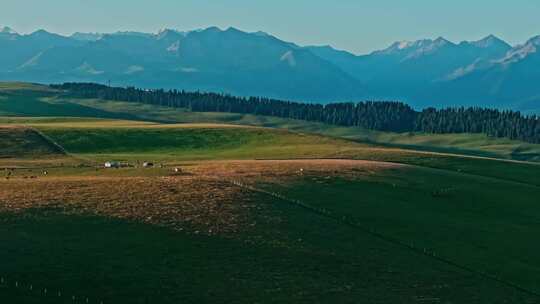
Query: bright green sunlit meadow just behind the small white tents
x=133, y=141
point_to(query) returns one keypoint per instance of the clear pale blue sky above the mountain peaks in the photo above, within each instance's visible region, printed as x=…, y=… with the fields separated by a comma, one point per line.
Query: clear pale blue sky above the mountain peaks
x=354, y=25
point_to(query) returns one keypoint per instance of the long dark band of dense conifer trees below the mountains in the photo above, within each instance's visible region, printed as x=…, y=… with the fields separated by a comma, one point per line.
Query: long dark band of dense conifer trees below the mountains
x=383, y=116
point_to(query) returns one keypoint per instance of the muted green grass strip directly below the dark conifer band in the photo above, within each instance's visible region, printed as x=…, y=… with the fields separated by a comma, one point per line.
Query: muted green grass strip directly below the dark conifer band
x=465, y=144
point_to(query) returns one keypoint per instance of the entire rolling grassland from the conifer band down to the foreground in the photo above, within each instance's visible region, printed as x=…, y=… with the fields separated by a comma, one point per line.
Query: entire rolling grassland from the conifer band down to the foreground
x=191, y=235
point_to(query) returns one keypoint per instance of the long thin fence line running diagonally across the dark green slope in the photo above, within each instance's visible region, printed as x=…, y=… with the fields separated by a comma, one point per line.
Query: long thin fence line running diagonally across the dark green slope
x=373, y=232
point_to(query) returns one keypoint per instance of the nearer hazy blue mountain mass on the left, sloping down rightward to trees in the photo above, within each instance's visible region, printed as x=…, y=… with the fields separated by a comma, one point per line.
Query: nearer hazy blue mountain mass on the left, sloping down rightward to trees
x=229, y=61
